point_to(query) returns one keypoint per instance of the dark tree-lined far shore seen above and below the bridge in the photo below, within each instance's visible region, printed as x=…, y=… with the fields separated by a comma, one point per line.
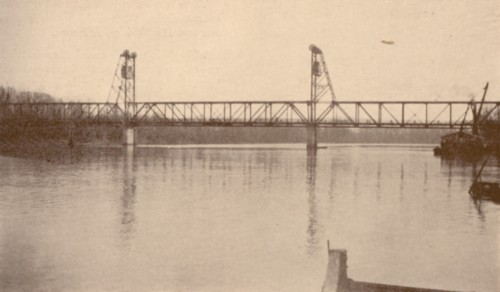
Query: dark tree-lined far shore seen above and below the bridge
x=32, y=137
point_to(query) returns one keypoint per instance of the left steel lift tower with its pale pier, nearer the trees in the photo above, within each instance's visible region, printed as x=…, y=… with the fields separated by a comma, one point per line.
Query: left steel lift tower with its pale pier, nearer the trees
x=123, y=86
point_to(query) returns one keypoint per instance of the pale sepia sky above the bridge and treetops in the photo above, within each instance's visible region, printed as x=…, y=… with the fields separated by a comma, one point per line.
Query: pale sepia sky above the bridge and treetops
x=253, y=50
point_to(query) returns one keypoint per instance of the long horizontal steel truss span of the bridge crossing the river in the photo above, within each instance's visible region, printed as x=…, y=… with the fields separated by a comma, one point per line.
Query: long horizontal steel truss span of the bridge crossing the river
x=349, y=114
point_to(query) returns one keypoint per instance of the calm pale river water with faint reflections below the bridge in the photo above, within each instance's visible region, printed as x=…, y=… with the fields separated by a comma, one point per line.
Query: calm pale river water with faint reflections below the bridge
x=221, y=219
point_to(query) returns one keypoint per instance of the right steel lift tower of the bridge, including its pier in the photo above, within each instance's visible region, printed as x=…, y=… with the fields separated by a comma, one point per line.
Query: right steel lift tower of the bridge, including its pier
x=320, y=85
